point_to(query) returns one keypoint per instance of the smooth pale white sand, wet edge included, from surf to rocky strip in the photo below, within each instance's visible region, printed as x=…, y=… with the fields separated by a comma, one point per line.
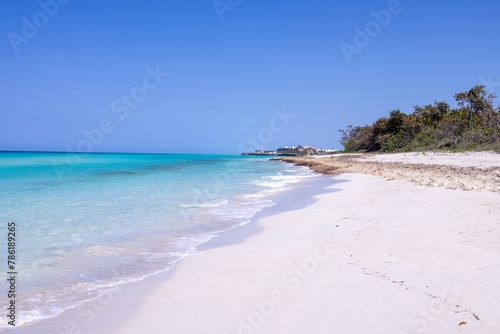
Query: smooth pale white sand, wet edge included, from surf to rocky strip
x=349, y=253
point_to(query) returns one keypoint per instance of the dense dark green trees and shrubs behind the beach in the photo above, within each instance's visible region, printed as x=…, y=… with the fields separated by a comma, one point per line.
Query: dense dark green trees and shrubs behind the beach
x=474, y=124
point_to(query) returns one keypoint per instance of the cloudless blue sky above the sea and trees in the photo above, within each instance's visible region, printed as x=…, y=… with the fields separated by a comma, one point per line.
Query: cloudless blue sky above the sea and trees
x=227, y=76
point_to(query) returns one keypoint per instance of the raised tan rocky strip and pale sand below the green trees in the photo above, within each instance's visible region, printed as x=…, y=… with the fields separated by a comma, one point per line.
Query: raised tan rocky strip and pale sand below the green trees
x=474, y=171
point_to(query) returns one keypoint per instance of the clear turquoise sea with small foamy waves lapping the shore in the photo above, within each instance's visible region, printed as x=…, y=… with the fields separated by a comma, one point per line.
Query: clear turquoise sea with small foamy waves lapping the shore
x=88, y=223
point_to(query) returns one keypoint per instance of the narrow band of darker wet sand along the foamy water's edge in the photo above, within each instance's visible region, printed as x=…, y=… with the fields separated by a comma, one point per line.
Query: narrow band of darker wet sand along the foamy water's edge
x=94, y=315
